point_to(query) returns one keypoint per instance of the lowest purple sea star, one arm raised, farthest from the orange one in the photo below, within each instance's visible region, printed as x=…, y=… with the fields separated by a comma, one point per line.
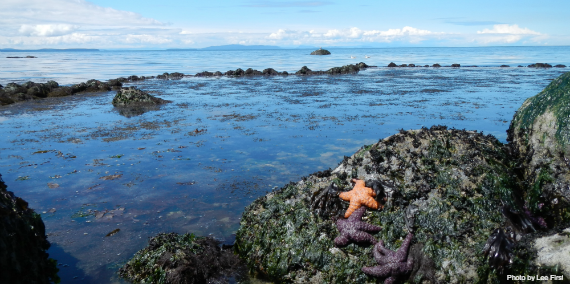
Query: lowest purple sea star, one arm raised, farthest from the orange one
x=391, y=264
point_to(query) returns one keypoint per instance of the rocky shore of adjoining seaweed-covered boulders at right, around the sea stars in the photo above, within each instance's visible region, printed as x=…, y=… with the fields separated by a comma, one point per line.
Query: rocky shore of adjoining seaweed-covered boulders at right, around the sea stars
x=482, y=210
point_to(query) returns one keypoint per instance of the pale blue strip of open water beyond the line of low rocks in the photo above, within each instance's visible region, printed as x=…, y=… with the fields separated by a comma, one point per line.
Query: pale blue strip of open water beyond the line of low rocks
x=75, y=67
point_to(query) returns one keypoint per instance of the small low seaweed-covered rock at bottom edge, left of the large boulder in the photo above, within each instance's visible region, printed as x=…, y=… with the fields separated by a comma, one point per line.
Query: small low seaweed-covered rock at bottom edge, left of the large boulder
x=182, y=259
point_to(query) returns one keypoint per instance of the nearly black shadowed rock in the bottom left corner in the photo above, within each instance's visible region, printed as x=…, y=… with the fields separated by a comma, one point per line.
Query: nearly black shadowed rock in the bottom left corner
x=23, y=243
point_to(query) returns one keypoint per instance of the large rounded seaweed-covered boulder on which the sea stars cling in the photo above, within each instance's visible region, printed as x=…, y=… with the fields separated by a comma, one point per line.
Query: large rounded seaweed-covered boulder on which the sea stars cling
x=457, y=179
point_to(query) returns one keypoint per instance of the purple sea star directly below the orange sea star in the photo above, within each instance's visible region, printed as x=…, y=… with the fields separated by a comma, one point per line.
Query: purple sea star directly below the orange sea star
x=353, y=229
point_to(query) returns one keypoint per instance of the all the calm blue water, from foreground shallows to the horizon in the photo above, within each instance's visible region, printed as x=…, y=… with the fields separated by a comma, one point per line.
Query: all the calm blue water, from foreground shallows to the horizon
x=194, y=164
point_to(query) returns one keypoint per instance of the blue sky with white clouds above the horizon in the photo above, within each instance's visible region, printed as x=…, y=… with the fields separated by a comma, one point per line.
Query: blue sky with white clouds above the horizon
x=162, y=24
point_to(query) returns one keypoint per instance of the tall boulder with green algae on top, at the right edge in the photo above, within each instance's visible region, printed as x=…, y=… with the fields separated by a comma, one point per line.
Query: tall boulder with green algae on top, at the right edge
x=539, y=135
